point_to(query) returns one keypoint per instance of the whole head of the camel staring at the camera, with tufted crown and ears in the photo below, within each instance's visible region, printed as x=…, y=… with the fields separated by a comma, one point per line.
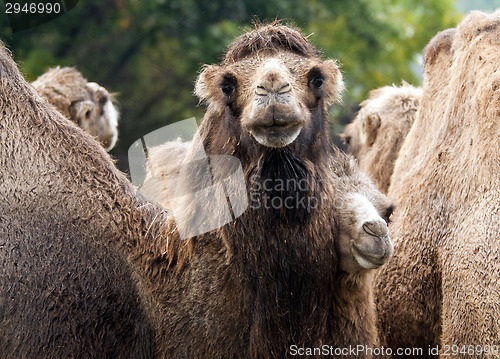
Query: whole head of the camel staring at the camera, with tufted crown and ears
x=274, y=96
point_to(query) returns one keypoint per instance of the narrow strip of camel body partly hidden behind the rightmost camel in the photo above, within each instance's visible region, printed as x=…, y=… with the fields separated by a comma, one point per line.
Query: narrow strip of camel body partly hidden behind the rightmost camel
x=407, y=289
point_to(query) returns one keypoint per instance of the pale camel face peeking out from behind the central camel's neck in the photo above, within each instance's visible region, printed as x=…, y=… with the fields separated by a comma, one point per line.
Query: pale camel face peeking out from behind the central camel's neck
x=364, y=236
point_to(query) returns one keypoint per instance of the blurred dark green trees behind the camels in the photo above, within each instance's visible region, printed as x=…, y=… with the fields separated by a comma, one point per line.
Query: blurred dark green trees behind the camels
x=149, y=52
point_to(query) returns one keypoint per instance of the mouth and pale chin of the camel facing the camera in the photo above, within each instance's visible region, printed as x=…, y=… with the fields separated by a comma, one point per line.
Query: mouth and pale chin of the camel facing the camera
x=277, y=135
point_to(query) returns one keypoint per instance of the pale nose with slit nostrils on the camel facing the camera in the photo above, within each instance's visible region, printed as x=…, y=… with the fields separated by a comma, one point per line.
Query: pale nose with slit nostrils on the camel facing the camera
x=273, y=79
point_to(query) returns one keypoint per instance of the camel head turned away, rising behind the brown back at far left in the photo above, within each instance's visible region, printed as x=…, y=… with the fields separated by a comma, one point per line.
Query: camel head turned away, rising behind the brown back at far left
x=85, y=103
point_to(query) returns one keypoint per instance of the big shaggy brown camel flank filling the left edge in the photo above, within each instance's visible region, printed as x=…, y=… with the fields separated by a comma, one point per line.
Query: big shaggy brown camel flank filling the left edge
x=67, y=218
